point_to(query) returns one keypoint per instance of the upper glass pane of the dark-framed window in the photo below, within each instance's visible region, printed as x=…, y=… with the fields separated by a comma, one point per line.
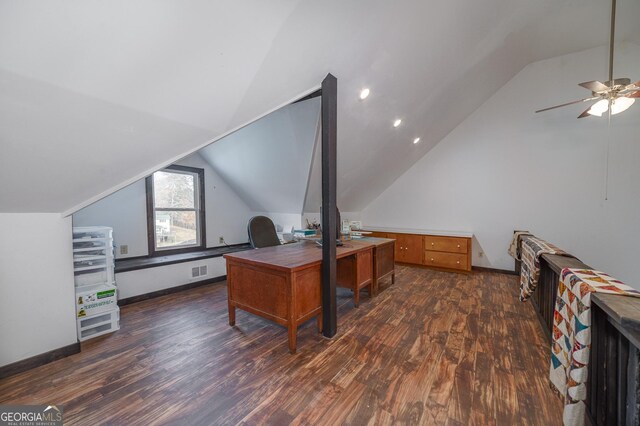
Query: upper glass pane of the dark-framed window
x=174, y=190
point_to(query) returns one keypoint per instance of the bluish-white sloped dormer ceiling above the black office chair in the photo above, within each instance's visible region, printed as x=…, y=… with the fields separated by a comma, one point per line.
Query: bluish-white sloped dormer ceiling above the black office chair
x=267, y=163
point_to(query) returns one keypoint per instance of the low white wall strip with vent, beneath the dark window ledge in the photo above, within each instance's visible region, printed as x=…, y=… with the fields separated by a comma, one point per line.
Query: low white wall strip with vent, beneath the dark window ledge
x=144, y=281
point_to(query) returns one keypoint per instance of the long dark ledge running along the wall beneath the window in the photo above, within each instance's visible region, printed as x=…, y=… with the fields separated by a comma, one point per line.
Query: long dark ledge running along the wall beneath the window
x=136, y=263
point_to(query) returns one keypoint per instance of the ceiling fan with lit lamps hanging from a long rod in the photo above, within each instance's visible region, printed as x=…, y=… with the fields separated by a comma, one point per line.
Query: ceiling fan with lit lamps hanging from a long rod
x=615, y=95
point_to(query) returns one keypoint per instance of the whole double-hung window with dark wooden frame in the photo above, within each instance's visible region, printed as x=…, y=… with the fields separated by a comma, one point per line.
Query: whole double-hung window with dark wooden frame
x=175, y=210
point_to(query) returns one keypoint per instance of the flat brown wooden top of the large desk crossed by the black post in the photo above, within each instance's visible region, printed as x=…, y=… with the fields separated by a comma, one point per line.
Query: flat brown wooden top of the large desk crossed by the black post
x=295, y=256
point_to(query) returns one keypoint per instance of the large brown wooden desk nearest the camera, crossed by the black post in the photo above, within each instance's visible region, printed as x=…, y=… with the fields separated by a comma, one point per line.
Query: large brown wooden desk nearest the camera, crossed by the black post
x=283, y=283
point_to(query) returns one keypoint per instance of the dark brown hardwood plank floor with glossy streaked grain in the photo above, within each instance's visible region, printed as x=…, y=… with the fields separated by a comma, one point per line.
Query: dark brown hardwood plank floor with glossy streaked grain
x=435, y=348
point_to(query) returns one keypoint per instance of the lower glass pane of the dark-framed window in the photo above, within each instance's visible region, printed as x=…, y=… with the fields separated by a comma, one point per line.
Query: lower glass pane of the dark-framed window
x=176, y=229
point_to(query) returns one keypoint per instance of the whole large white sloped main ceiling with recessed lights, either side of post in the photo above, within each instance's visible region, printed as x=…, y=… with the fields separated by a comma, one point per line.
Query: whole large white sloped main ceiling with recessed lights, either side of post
x=96, y=94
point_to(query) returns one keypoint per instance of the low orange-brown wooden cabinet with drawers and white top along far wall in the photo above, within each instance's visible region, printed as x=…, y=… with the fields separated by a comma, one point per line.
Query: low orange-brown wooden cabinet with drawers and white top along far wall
x=442, y=250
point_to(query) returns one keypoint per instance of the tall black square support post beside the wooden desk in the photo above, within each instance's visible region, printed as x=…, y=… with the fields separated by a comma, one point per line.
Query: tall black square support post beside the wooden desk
x=329, y=209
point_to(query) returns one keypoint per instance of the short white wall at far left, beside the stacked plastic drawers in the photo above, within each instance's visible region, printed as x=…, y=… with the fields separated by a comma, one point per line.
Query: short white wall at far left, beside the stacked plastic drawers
x=37, y=312
